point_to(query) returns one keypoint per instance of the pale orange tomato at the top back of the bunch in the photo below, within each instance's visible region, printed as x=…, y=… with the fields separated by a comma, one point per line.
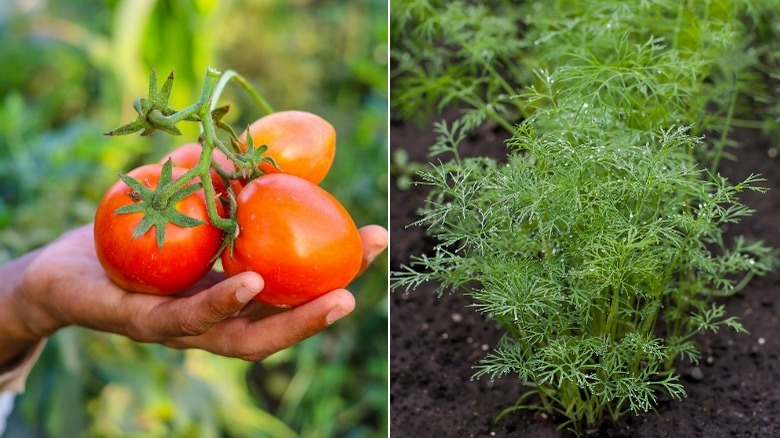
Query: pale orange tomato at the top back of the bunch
x=302, y=144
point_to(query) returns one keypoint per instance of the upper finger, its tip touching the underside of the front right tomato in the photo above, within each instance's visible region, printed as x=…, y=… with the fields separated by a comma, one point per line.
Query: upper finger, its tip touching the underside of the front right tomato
x=195, y=315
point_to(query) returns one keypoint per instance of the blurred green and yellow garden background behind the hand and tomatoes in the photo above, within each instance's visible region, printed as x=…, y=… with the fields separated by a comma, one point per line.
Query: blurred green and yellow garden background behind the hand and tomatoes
x=70, y=71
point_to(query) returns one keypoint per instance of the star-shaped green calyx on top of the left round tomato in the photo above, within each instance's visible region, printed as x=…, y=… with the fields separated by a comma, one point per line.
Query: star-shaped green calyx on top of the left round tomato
x=157, y=211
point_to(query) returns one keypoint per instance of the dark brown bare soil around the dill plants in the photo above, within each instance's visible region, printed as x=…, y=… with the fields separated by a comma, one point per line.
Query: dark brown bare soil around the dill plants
x=436, y=341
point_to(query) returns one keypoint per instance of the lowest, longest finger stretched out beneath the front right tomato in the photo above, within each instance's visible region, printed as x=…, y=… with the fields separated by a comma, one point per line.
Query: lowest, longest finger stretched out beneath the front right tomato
x=257, y=339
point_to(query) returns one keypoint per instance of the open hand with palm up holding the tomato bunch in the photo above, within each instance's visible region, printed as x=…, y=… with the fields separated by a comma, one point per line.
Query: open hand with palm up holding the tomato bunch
x=64, y=284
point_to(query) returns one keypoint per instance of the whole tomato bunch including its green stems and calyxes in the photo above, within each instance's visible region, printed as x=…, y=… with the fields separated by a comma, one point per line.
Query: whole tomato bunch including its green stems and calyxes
x=300, y=238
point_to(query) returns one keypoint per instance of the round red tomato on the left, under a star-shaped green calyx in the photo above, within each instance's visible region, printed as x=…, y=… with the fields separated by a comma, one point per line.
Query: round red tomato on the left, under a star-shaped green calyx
x=137, y=264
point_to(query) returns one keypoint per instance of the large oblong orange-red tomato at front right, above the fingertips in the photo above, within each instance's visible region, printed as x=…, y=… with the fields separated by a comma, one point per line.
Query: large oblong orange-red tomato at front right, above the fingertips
x=297, y=236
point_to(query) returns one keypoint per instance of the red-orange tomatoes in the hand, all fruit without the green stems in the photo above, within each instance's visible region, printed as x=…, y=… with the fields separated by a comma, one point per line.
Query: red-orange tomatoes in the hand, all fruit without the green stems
x=291, y=231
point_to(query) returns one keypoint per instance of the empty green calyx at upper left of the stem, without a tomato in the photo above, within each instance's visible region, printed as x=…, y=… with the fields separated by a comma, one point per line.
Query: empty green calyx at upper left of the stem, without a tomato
x=154, y=113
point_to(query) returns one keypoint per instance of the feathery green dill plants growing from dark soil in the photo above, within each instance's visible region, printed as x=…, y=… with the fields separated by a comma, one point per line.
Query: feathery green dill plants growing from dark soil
x=603, y=229
